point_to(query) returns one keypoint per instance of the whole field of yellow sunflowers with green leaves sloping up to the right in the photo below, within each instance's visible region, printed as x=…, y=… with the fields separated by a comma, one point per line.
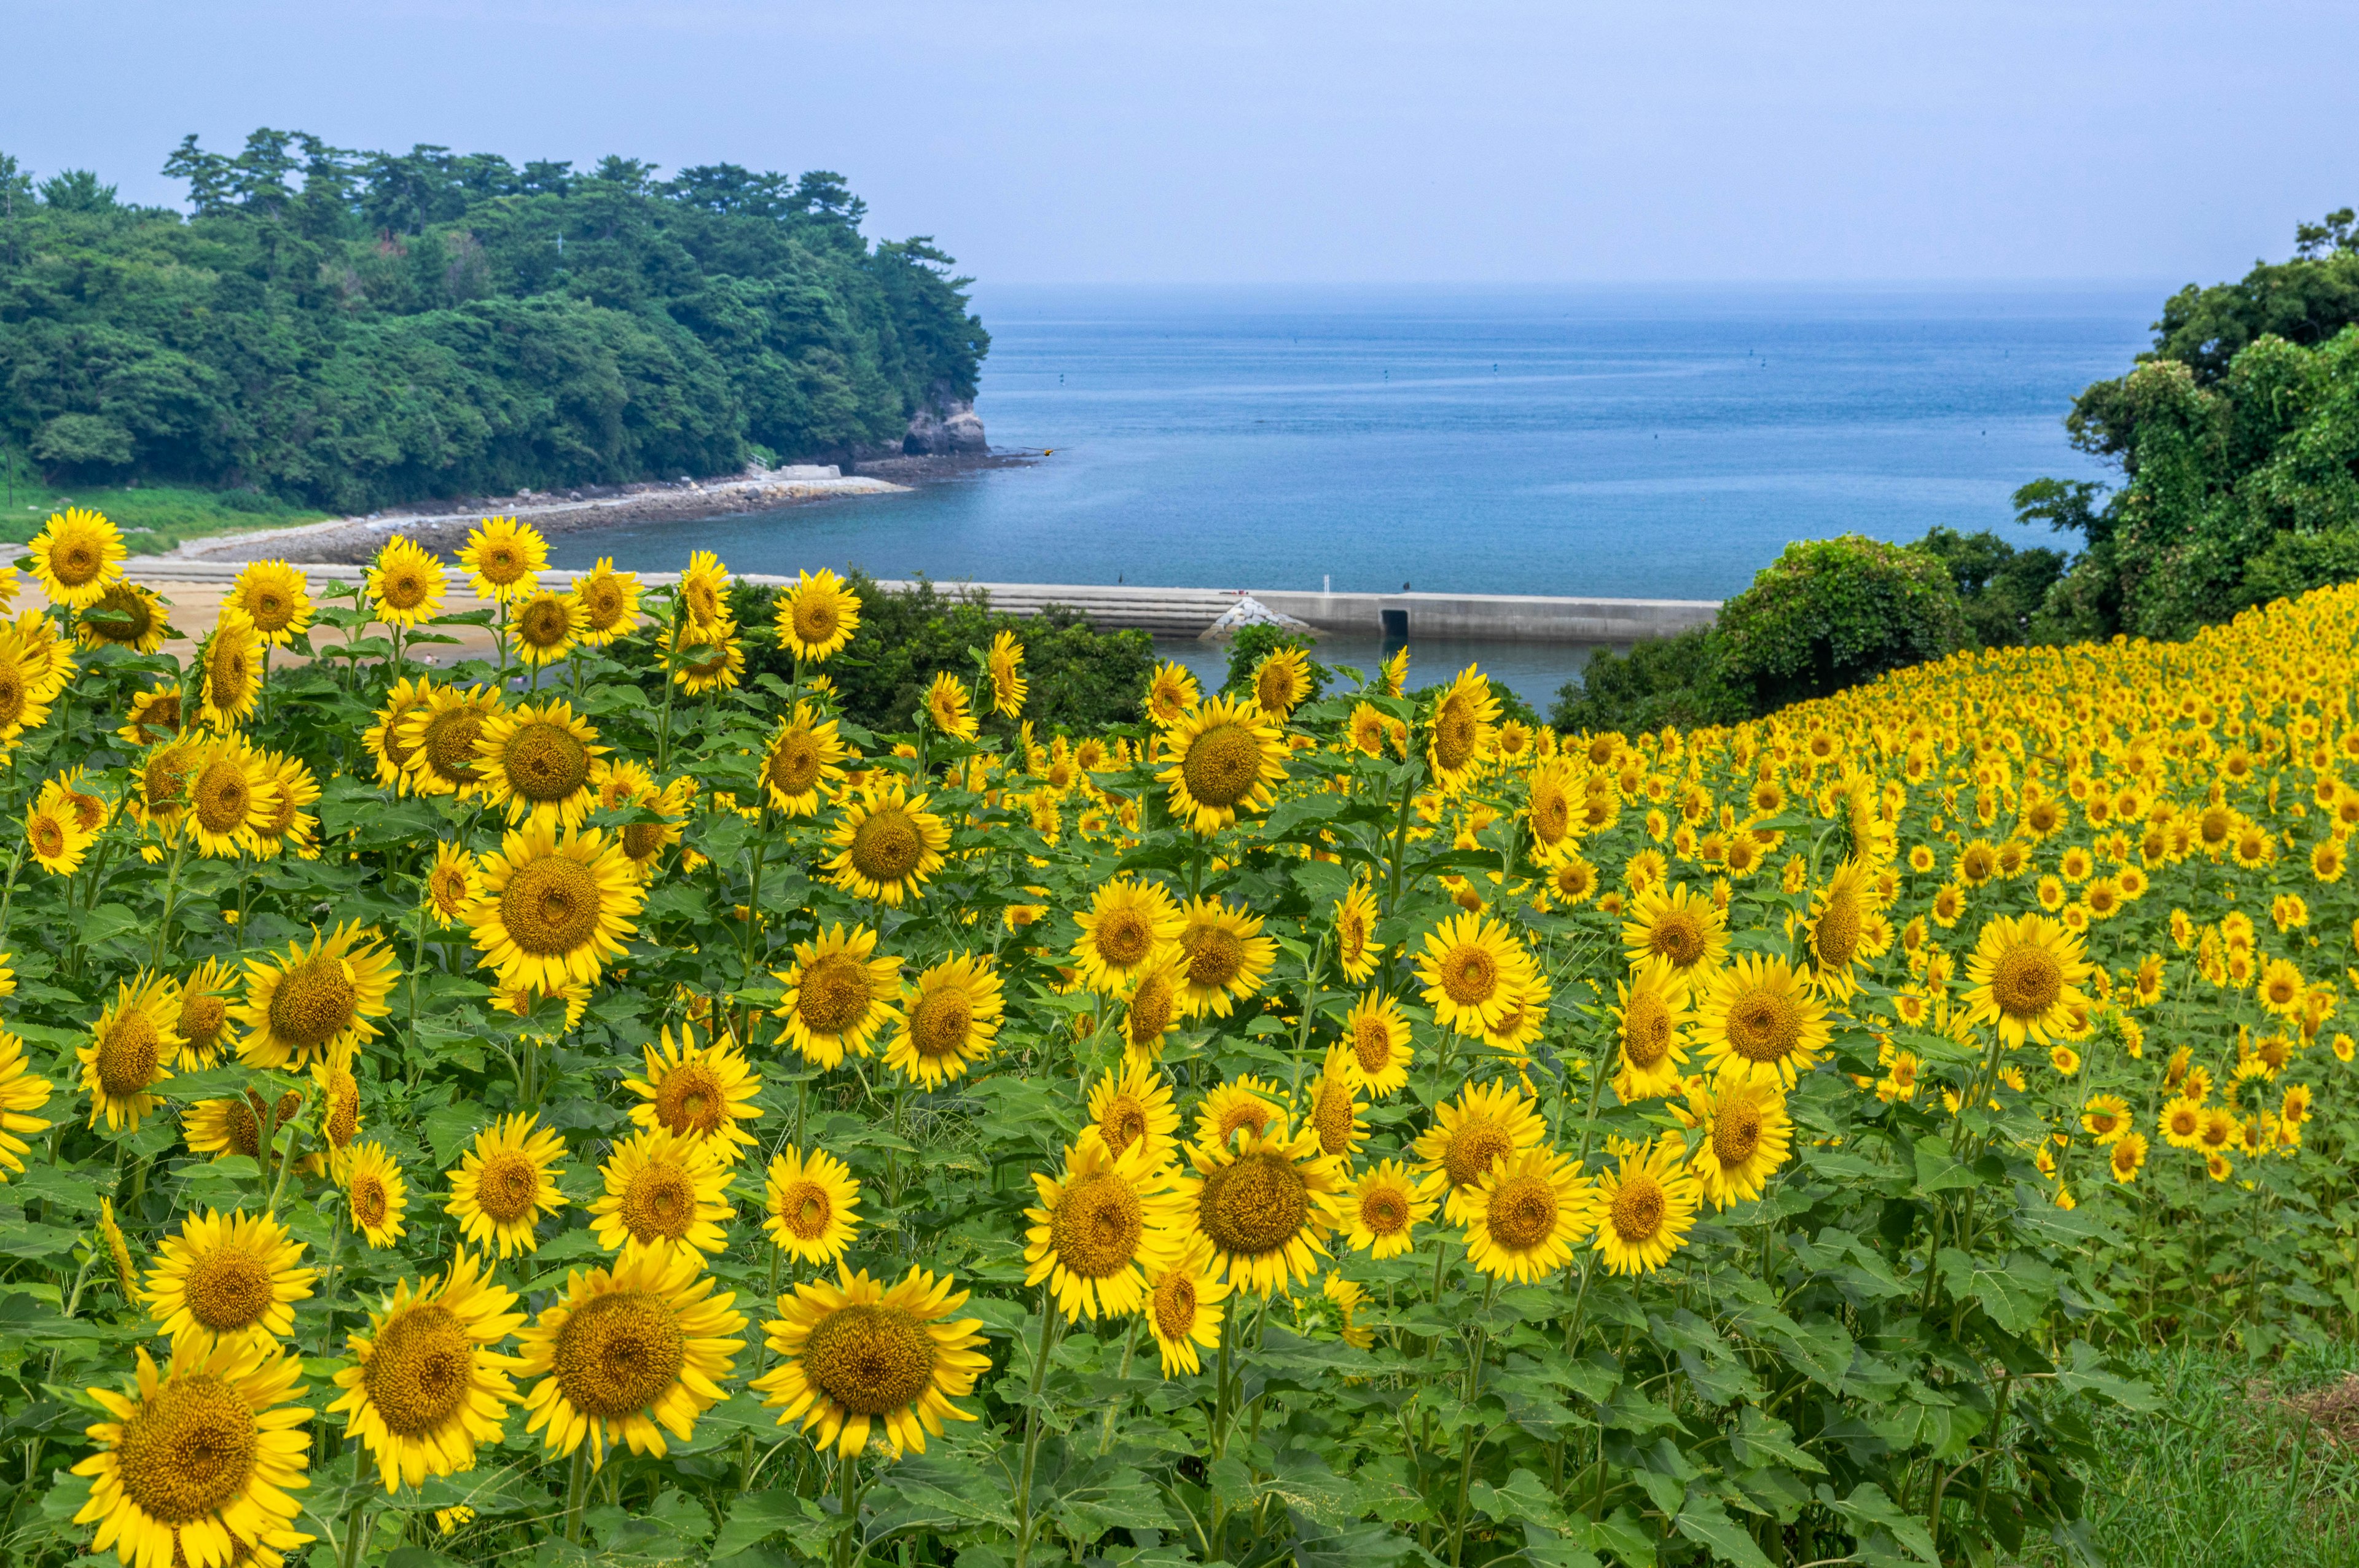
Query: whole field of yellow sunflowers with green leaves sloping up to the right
x=593, y=1107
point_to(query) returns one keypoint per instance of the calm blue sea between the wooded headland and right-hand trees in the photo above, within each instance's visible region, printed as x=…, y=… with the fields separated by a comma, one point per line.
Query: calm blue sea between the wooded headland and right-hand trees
x=1627, y=442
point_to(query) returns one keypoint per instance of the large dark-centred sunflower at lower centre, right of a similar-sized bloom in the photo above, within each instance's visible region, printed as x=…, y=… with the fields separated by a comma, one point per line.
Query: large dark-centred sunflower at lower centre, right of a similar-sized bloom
x=1268, y=1206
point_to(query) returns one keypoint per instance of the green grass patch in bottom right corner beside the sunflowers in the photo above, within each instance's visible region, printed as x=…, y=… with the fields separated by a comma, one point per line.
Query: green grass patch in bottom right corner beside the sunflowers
x=2247, y=1468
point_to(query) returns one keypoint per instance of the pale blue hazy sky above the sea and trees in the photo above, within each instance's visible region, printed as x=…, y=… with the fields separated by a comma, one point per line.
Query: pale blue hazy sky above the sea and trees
x=1284, y=140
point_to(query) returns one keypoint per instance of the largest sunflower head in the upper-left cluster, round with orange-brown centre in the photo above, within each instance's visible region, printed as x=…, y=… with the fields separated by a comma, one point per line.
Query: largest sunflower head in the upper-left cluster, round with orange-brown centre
x=556, y=909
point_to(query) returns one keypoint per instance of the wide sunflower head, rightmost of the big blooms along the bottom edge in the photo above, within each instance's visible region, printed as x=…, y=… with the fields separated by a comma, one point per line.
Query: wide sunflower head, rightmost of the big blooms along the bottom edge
x=857, y=1355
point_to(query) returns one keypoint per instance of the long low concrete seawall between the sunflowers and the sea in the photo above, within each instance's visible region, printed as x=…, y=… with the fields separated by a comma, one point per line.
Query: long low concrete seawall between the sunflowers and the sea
x=1188, y=612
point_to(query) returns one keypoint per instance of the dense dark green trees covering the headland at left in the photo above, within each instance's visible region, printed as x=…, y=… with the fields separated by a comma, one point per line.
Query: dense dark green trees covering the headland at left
x=364, y=329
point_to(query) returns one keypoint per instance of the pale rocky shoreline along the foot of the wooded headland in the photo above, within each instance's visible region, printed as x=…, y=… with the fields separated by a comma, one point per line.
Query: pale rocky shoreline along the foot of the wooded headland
x=442, y=527
